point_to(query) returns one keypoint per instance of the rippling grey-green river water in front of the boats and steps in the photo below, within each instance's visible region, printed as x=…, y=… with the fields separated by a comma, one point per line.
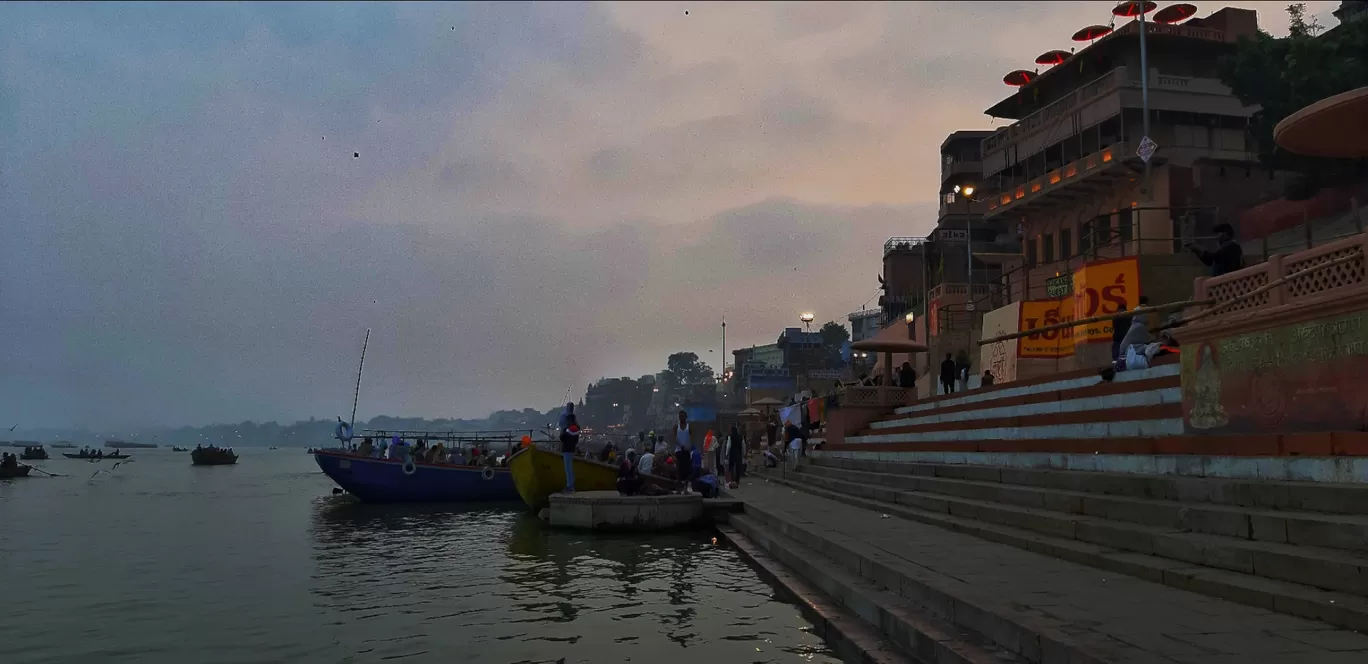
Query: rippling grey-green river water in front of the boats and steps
x=161, y=562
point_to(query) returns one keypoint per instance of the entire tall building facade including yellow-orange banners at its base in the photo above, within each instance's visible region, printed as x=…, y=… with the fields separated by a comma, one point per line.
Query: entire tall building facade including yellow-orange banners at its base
x=1070, y=173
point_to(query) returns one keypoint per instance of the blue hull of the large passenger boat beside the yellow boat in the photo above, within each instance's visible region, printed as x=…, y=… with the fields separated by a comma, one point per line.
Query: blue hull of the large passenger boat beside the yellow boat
x=385, y=481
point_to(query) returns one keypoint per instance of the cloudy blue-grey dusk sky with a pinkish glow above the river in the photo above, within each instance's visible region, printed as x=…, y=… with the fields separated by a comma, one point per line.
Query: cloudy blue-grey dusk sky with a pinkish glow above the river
x=203, y=207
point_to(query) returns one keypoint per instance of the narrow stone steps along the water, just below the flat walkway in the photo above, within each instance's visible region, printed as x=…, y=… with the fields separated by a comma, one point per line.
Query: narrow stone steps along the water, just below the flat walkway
x=884, y=615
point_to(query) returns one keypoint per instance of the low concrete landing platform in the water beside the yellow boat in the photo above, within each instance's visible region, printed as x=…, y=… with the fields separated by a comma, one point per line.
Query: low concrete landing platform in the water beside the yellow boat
x=611, y=511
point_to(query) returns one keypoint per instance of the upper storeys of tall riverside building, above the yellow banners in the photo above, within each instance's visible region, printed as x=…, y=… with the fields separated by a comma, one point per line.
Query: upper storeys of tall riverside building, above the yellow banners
x=1068, y=173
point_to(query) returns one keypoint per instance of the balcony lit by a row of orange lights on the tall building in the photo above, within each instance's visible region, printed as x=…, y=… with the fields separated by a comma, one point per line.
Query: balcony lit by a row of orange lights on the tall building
x=1092, y=173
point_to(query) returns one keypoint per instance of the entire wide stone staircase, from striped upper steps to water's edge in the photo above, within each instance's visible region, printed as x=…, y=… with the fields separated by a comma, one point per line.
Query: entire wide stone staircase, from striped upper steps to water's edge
x=1070, y=520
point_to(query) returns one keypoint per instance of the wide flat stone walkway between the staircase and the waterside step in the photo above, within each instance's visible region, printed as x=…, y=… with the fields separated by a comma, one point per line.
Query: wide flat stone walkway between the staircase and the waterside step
x=1042, y=607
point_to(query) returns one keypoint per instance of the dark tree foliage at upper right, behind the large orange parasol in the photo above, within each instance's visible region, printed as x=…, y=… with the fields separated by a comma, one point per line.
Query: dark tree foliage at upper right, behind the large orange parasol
x=1282, y=76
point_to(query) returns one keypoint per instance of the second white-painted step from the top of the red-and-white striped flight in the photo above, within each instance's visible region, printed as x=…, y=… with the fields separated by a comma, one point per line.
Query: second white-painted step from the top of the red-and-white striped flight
x=1105, y=396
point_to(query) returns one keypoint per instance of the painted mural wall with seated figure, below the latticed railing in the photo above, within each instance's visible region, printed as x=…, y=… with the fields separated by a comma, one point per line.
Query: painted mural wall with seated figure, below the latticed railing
x=1304, y=377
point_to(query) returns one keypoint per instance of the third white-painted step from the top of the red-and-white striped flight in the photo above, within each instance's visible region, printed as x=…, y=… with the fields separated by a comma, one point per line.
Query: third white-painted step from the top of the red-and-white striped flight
x=1146, y=421
